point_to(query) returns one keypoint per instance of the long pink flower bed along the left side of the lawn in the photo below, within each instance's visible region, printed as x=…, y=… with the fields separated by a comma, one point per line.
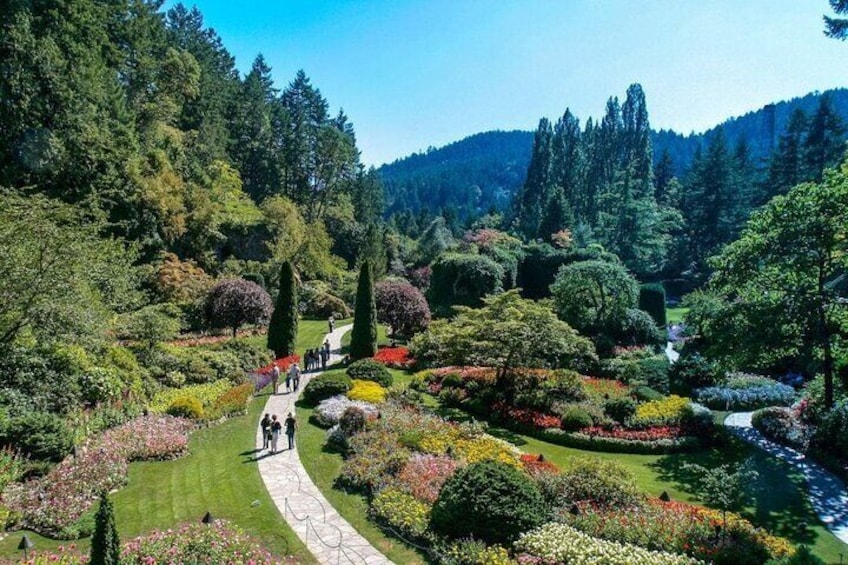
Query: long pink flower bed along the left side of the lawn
x=51, y=505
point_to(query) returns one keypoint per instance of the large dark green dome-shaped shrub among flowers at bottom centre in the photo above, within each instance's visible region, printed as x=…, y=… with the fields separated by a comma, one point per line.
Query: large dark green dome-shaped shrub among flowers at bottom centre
x=490, y=501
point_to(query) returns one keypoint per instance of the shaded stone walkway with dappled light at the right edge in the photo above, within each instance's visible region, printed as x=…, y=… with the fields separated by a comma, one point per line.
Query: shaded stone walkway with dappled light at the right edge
x=826, y=492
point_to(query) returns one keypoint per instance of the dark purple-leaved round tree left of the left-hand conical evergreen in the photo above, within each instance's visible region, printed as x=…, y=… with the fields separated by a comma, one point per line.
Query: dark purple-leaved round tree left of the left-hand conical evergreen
x=231, y=303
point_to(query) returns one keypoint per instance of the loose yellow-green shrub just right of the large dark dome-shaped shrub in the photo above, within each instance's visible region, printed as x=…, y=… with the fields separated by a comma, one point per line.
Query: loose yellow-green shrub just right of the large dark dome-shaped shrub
x=600, y=482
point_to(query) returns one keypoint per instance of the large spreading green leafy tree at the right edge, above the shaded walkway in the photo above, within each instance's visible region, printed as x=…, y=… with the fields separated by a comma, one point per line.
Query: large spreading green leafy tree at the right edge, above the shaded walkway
x=776, y=299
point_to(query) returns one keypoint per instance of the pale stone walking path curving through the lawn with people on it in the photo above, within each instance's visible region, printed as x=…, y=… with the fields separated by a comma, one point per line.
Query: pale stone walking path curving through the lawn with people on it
x=330, y=538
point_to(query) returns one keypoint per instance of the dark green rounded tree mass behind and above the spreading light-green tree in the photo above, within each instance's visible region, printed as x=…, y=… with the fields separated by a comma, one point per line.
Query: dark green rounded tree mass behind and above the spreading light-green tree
x=462, y=280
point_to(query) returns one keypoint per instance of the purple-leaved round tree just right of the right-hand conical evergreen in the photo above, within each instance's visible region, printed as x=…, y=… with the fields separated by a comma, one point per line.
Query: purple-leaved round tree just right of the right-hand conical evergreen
x=402, y=307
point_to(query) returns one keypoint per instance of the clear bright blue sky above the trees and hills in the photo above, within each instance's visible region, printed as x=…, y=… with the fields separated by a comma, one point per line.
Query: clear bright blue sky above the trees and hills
x=414, y=74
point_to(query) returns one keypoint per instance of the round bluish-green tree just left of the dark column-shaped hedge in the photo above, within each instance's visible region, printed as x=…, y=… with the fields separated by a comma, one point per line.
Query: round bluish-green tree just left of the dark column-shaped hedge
x=594, y=295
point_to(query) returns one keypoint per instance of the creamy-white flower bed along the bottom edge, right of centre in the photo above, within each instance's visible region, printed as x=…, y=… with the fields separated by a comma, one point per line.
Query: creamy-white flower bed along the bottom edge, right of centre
x=560, y=543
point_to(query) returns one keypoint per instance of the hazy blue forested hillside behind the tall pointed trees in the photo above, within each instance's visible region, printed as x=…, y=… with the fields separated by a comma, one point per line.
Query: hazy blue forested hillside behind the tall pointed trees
x=495, y=162
